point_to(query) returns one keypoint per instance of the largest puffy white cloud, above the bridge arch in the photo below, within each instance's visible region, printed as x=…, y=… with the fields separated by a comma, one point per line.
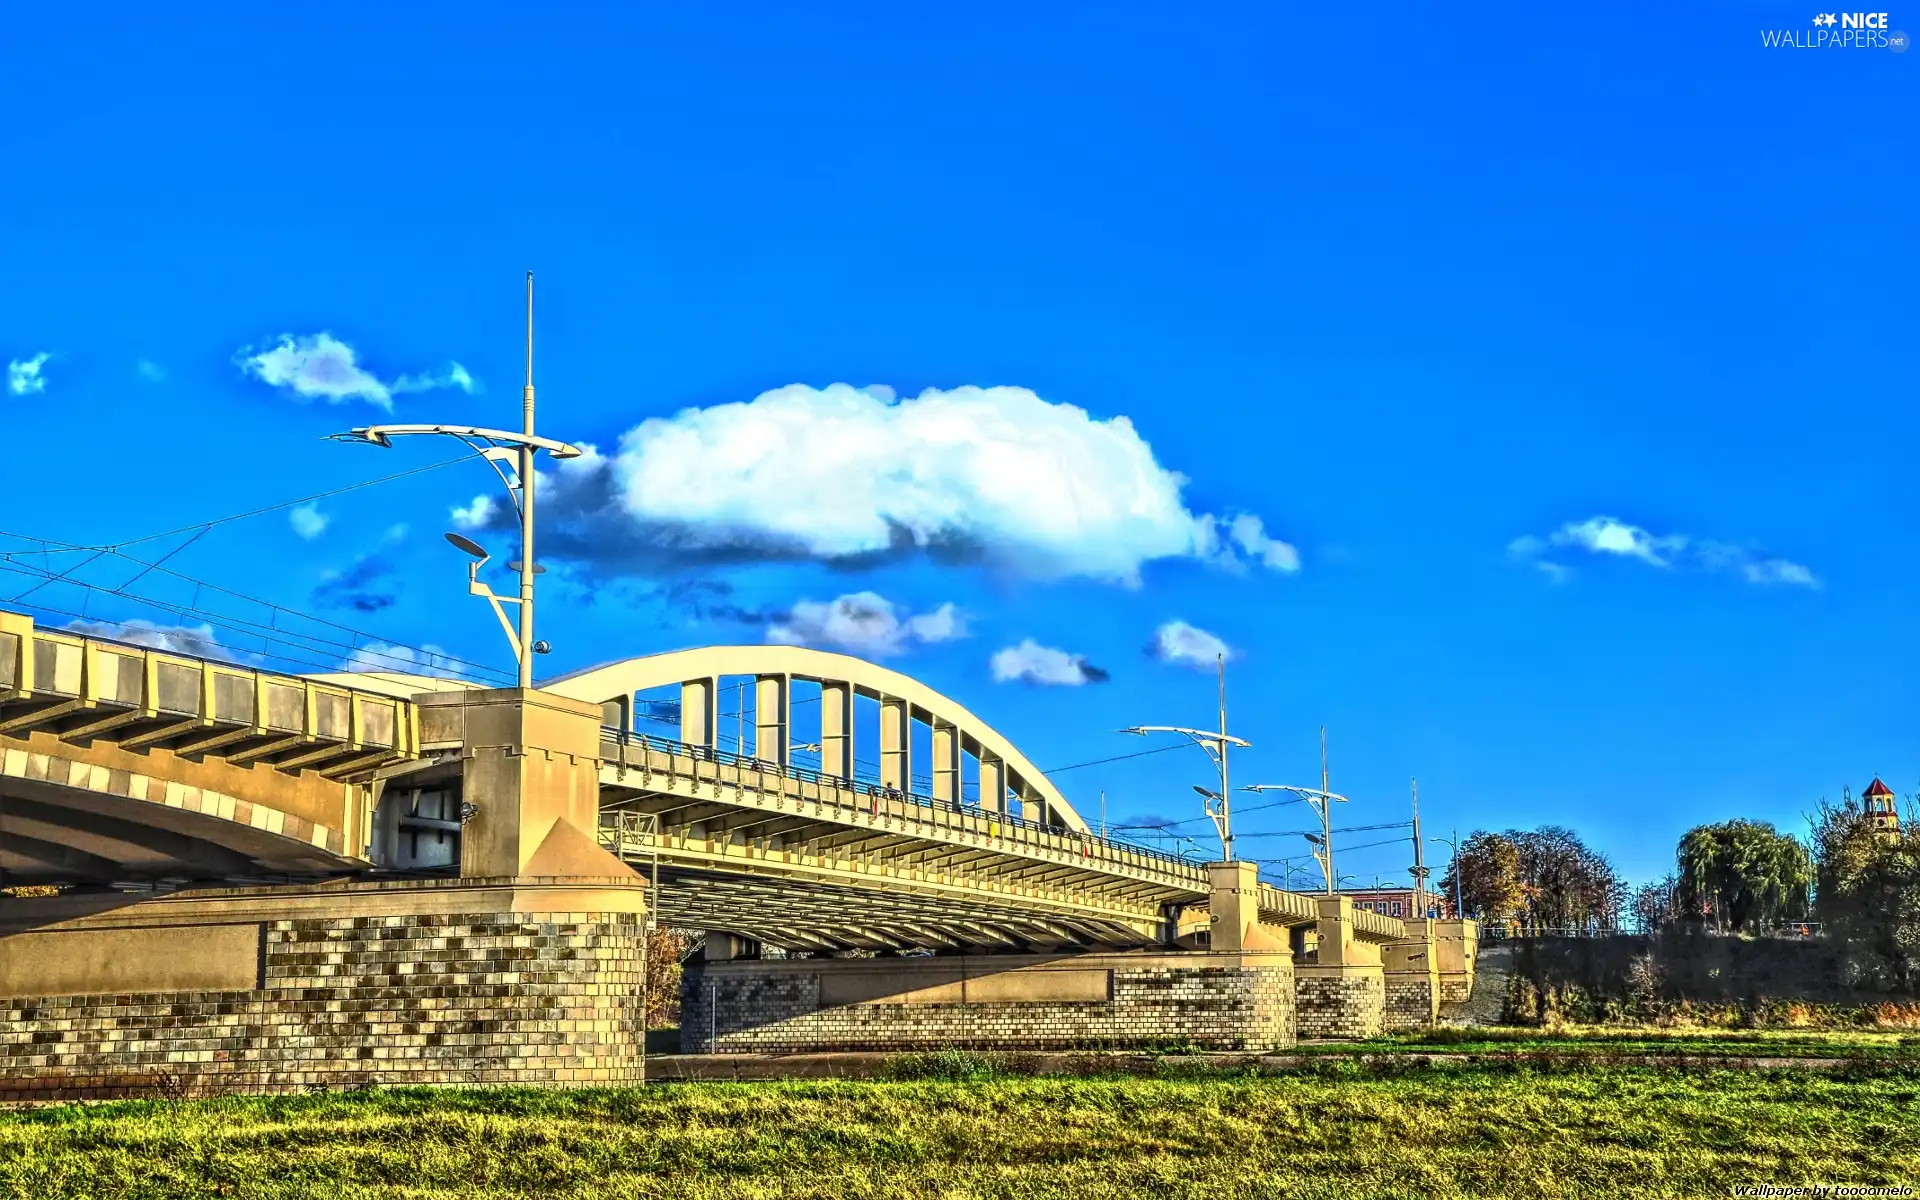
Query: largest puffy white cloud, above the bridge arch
x=972, y=475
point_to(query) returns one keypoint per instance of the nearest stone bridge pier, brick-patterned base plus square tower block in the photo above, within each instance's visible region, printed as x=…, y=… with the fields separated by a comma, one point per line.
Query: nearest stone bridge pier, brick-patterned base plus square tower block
x=521, y=961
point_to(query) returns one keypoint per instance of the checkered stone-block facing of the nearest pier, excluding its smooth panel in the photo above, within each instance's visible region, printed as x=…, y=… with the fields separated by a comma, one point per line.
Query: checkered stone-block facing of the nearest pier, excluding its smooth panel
x=504, y=994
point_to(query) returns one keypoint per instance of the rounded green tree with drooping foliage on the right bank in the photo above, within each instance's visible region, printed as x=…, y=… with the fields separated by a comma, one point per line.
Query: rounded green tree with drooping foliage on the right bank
x=1742, y=875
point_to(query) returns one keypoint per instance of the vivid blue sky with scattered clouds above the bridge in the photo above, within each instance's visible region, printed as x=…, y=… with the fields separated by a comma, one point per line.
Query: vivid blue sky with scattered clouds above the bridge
x=1410, y=287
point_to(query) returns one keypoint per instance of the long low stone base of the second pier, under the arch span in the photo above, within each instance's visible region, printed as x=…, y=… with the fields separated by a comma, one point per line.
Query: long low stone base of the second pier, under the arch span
x=1009, y=1003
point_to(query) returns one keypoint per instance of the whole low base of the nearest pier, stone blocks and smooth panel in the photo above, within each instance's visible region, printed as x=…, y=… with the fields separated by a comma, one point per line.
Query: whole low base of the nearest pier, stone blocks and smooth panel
x=446, y=982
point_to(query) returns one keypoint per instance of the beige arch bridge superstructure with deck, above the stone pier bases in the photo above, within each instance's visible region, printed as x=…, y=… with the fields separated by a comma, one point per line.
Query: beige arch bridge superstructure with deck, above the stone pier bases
x=853, y=809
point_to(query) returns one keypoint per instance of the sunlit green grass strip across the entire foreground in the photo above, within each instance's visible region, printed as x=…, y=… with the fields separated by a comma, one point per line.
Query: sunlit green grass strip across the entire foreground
x=1337, y=1132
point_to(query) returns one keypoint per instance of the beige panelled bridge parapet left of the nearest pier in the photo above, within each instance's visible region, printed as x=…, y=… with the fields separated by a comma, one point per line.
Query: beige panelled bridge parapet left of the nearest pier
x=137, y=698
